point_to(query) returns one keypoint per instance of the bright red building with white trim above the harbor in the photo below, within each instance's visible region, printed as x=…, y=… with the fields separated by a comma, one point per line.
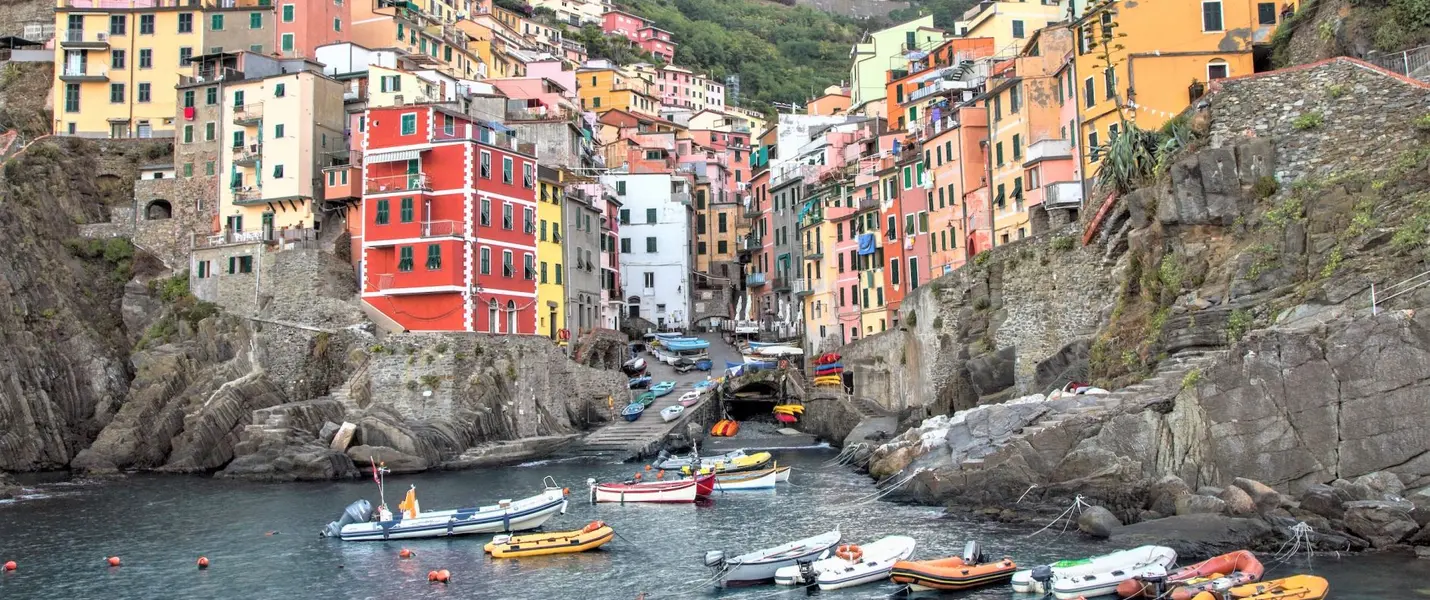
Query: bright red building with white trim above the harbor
x=450, y=222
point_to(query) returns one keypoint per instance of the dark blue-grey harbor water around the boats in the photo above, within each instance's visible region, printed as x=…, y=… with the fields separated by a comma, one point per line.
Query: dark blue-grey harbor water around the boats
x=262, y=541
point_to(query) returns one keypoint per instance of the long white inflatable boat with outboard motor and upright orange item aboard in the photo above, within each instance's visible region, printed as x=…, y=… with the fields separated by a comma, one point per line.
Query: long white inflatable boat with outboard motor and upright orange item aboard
x=413, y=524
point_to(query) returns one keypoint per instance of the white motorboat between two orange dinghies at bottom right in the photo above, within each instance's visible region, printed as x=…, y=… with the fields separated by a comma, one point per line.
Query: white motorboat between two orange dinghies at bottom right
x=1096, y=576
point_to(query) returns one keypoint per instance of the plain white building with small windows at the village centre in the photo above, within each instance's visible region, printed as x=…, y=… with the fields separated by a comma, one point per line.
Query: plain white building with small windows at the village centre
x=656, y=246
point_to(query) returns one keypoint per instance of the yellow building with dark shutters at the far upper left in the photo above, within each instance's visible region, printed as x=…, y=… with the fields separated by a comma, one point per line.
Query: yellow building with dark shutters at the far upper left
x=117, y=69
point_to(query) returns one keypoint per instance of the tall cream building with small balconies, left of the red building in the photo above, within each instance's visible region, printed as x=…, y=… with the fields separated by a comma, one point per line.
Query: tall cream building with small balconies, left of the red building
x=281, y=132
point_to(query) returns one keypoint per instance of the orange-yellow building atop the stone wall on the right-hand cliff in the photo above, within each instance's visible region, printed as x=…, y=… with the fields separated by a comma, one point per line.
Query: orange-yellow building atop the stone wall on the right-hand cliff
x=1162, y=58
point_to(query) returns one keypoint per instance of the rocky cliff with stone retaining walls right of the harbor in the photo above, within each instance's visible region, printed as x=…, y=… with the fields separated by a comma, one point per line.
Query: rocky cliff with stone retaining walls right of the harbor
x=1233, y=325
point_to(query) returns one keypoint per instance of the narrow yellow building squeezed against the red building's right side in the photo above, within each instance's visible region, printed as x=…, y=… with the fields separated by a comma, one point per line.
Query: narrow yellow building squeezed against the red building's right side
x=551, y=288
